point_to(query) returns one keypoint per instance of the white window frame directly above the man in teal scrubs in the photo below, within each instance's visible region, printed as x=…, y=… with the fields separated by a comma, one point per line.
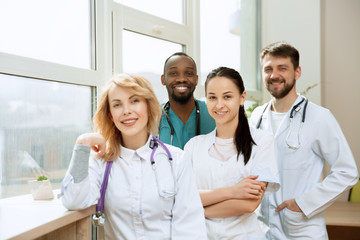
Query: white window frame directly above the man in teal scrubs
x=127, y=18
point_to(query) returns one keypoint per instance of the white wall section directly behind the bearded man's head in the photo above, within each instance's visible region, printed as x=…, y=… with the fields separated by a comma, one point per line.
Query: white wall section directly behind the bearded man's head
x=298, y=23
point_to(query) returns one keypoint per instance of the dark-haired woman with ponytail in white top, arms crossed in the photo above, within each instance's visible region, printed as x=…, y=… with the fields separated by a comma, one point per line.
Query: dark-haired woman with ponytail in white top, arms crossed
x=232, y=164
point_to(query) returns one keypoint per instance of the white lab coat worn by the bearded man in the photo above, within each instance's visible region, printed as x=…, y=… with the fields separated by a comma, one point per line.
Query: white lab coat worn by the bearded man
x=301, y=170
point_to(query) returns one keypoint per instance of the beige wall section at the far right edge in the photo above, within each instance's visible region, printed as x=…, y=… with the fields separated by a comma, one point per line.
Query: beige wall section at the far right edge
x=340, y=82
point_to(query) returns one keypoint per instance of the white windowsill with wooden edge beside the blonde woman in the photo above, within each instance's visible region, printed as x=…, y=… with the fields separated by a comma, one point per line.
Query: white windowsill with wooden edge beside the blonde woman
x=24, y=218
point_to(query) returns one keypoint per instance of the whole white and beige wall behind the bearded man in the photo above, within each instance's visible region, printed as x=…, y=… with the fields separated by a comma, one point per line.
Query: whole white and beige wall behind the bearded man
x=327, y=35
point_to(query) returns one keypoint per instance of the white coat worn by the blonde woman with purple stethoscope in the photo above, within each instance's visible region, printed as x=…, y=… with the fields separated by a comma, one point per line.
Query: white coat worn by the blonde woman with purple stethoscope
x=133, y=207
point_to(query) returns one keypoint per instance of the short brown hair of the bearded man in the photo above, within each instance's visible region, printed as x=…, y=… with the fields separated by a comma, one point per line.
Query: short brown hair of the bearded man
x=281, y=49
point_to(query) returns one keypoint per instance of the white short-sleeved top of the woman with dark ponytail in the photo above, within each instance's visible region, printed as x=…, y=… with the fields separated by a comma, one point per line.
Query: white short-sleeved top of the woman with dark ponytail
x=211, y=173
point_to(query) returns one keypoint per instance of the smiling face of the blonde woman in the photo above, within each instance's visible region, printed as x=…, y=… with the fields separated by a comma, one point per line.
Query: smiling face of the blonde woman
x=129, y=113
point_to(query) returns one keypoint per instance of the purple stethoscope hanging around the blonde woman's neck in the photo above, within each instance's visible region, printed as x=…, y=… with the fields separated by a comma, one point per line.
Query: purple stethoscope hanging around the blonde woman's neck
x=98, y=217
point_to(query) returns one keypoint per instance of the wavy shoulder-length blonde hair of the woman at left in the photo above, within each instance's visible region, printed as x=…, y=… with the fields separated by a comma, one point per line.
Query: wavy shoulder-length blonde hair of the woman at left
x=102, y=122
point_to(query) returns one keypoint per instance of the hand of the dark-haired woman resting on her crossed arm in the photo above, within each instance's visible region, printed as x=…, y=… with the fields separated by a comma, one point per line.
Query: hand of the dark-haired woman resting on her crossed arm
x=248, y=188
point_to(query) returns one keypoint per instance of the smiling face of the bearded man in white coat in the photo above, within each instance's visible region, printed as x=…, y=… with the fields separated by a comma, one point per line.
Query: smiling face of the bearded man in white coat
x=279, y=75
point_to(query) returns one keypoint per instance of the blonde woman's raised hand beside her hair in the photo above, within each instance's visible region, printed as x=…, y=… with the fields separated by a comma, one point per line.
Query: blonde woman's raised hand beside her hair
x=95, y=141
